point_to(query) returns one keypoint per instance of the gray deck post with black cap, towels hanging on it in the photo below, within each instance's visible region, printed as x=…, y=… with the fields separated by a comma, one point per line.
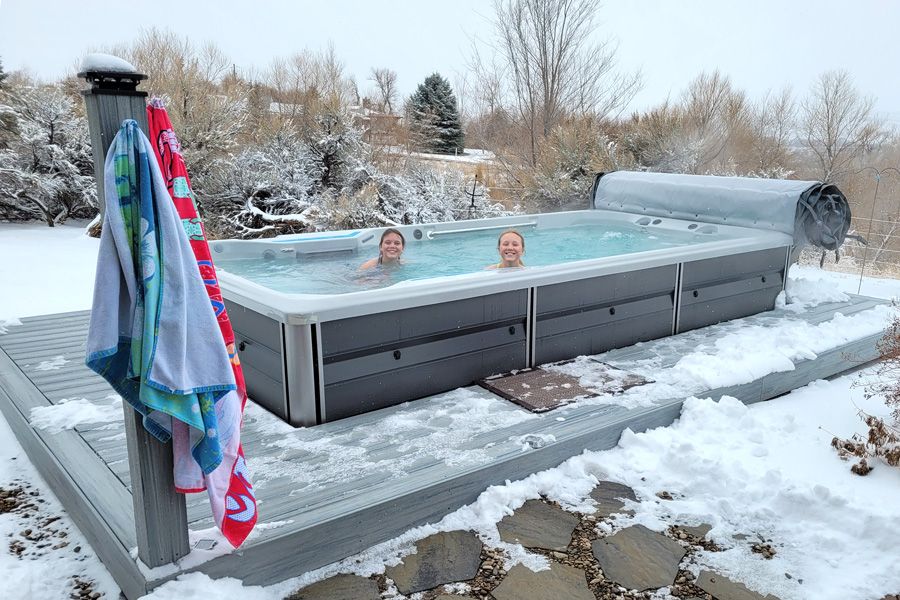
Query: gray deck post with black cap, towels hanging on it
x=160, y=517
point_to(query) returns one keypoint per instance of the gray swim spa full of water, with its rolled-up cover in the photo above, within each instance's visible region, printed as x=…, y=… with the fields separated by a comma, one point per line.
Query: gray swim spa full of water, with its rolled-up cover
x=319, y=341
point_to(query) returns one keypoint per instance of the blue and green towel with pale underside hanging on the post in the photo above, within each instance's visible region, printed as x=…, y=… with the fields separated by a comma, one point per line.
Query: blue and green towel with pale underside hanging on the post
x=152, y=334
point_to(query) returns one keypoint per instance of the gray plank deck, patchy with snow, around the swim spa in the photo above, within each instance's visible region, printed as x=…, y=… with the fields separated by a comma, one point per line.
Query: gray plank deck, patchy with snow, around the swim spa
x=331, y=491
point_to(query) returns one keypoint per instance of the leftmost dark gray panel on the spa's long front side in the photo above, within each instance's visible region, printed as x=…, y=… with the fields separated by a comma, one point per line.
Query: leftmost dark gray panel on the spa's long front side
x=384, y=359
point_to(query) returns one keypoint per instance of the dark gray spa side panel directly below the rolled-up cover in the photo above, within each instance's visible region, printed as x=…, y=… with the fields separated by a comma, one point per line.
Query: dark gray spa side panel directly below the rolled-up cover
x=730, y=287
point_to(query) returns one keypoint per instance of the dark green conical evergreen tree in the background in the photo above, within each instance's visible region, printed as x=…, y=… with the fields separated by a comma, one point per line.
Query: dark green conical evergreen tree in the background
x=434, y=117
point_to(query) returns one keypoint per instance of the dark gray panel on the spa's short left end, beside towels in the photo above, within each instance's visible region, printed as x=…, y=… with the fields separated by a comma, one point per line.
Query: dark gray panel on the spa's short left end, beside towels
x=258, y=338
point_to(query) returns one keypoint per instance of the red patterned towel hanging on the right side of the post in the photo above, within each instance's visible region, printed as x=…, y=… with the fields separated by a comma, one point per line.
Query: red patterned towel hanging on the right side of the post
x=230, y=482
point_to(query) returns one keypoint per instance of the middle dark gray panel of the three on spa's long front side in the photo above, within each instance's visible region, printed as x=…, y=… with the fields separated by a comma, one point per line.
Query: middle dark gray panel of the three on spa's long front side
x=590, y=316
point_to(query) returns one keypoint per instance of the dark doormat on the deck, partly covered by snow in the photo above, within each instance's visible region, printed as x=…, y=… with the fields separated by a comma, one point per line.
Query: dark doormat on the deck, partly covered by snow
x=540, y=390
